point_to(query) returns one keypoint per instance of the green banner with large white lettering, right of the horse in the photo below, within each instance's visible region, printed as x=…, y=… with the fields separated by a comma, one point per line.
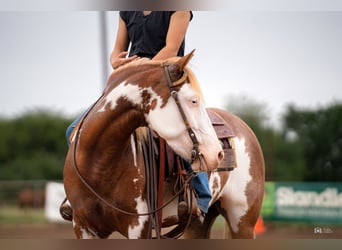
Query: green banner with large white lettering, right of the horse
x=303, y=201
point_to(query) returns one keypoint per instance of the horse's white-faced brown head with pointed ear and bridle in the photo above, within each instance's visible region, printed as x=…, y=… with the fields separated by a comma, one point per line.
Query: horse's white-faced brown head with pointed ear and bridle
x=177, y=113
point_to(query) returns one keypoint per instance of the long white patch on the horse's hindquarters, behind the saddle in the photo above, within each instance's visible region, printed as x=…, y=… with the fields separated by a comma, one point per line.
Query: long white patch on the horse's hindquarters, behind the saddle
x=234, y=192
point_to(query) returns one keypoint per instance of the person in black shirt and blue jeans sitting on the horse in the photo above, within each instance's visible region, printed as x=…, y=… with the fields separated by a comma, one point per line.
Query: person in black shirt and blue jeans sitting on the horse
x=157, y=35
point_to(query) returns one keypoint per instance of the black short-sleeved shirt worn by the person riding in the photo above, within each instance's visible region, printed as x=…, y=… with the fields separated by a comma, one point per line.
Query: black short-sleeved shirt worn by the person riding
x=147, y=33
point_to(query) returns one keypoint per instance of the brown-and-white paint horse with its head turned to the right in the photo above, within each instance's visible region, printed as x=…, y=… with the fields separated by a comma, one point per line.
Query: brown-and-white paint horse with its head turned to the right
x=104, y=172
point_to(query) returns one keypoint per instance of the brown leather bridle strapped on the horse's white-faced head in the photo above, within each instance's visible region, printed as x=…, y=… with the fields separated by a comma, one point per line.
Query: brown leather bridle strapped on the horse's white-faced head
x=195, y=153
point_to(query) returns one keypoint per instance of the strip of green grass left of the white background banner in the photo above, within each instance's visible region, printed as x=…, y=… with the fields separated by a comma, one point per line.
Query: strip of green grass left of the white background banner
x=15, y=215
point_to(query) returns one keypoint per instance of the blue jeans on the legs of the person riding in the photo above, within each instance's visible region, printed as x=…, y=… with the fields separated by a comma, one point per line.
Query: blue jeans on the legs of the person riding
x=200, y=181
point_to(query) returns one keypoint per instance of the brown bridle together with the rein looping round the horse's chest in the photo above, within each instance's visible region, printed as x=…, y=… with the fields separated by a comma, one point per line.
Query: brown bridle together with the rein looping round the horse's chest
x=194, y=152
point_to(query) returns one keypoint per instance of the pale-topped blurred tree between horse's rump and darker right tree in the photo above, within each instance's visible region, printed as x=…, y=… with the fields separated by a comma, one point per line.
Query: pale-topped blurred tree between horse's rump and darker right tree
x=283, y=156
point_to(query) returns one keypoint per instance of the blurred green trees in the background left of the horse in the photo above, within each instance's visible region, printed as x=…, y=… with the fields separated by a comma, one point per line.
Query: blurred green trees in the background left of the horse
x=33, y=146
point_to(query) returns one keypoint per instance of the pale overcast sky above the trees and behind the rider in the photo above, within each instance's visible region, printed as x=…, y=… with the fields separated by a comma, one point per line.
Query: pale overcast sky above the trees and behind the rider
x=53, y=59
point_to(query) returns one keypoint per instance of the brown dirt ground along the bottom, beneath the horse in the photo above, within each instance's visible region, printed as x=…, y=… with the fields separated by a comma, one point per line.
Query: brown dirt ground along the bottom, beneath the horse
x=272, y=231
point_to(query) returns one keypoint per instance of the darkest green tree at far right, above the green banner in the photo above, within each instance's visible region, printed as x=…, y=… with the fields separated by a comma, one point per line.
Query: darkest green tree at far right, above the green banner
x=320, y=134
